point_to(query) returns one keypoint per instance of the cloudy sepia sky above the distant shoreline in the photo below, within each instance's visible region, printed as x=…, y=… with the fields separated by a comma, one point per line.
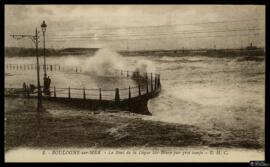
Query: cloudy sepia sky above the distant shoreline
x=138, y=27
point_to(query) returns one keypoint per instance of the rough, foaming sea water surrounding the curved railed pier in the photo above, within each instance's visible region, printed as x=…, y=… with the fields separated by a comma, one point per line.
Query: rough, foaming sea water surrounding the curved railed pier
x=205, y=101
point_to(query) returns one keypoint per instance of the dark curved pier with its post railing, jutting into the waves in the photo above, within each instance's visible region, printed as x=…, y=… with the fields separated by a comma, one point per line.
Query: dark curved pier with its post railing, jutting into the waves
x=132, y=98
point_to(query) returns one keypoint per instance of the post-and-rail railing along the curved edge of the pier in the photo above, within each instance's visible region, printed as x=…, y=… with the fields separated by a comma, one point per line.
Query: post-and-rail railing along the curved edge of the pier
x=152, y=82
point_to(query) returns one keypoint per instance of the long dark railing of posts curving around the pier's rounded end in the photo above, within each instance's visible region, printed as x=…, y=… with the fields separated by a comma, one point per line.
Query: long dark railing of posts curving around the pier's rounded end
x=146, y=83
